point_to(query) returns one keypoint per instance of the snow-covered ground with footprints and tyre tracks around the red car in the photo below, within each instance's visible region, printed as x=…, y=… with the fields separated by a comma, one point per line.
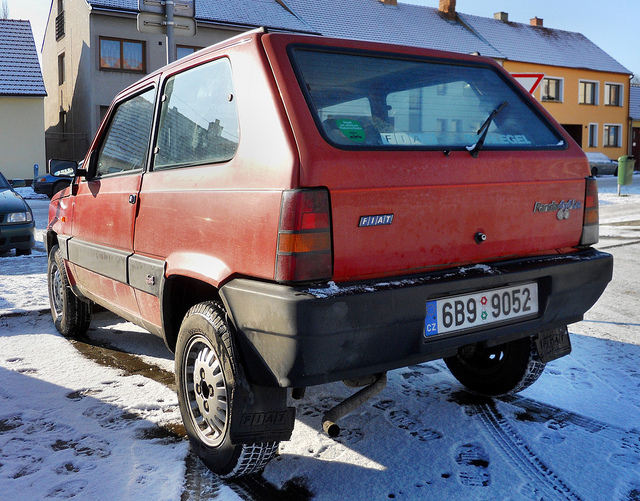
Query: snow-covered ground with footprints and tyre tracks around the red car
x=71, y=428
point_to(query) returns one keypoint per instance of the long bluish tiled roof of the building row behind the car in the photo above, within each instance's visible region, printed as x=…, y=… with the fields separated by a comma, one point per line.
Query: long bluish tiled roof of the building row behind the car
x=407, y=24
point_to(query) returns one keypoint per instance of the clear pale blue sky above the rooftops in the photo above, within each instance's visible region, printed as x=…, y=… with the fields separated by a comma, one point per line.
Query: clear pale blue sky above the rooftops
x=611, y=25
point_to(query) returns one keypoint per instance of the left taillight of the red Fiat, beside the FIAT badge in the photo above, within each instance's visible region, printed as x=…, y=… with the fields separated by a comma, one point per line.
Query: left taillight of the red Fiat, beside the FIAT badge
x=304, y=236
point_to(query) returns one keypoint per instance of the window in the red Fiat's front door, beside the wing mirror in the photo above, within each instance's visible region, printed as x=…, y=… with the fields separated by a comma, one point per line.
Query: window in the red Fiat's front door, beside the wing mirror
x=126, y=142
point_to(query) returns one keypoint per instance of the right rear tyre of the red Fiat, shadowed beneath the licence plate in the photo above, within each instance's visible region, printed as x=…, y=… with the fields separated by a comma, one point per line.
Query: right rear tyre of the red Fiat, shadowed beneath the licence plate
x=499, y=370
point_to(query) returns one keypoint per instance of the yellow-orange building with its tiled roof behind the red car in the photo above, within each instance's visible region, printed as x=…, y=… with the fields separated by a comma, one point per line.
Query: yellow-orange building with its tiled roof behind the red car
x=584, y=88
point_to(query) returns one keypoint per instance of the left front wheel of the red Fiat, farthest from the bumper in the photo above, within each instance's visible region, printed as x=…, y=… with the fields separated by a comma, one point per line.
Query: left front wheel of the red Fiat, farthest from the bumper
x=71, y=315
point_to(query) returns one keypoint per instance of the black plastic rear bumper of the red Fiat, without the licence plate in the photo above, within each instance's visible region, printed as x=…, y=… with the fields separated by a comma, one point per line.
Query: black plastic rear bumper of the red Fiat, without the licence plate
x=302, y=336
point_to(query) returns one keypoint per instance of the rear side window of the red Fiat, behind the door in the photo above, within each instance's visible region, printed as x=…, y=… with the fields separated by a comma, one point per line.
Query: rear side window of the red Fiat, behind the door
x=199, y=120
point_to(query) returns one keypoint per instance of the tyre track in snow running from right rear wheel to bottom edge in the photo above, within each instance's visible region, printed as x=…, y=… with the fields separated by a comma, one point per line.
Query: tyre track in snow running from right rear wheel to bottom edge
x=520, y=454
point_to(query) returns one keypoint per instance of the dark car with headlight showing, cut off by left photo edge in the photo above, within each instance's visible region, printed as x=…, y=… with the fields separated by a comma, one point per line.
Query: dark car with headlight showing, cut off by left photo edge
x=17, y=227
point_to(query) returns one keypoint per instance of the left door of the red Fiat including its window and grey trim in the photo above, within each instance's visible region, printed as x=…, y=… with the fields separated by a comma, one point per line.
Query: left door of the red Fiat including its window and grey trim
x=105, y=205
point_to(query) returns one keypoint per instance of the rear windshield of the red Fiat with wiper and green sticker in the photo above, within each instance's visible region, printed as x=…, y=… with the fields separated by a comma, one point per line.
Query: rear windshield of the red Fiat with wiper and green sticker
x=363, y=100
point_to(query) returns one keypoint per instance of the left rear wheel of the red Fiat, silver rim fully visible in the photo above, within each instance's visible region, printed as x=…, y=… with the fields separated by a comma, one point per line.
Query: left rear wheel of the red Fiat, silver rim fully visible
x=205, y=353
